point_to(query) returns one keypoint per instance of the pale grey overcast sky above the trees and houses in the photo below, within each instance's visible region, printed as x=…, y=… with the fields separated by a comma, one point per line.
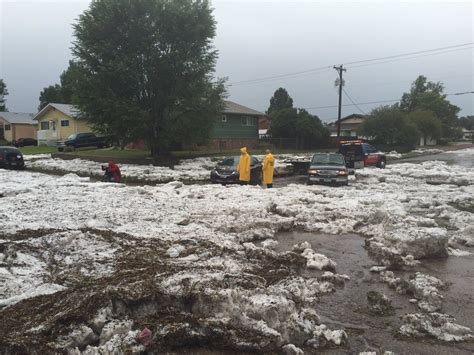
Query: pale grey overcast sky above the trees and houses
x=257, y=39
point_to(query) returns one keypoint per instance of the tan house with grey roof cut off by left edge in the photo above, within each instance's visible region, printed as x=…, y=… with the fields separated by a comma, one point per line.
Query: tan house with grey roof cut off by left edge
x=15, y=125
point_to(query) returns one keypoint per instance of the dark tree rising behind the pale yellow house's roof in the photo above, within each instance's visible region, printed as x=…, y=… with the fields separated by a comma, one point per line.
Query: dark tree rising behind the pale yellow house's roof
x=60, y=93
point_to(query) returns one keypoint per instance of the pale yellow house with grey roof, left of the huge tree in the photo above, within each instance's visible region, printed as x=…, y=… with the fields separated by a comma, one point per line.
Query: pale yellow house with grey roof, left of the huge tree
x=57, y=122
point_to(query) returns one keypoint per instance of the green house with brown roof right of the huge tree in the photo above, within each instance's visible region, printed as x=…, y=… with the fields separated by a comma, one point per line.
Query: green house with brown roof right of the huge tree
x=237, y=127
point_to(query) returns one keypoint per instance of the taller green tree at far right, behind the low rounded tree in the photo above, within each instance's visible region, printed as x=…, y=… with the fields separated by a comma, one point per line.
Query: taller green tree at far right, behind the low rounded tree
x=428, y=96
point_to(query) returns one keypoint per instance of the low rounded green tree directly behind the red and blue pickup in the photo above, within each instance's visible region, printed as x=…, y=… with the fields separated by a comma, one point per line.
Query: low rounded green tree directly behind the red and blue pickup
x=390, y=125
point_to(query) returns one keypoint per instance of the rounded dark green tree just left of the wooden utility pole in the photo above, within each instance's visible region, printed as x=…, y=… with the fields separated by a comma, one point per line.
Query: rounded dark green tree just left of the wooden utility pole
x=307, y=130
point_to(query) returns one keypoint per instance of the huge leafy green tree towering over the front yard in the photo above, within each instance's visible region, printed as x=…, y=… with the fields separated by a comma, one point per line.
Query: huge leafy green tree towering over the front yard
x=145, y=70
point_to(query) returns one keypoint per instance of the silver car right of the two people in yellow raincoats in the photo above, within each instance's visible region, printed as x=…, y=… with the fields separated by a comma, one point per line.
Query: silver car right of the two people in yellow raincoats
x=328, y=168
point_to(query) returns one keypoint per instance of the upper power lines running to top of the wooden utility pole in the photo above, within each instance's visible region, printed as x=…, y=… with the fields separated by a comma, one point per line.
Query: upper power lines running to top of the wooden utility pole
x=433, y=51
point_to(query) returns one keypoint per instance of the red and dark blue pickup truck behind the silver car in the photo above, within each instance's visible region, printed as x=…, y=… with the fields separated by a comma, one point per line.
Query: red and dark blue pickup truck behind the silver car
x=359, y=155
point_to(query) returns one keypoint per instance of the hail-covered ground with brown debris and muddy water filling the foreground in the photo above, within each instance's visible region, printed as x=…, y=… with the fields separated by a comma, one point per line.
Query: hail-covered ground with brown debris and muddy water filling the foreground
x=86, y=266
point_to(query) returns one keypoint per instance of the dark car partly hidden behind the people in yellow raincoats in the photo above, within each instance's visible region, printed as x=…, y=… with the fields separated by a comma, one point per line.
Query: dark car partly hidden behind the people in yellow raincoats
x=225, y=172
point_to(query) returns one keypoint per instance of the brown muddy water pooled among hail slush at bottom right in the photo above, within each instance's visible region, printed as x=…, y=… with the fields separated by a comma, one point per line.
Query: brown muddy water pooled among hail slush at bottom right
x=347, y=307
